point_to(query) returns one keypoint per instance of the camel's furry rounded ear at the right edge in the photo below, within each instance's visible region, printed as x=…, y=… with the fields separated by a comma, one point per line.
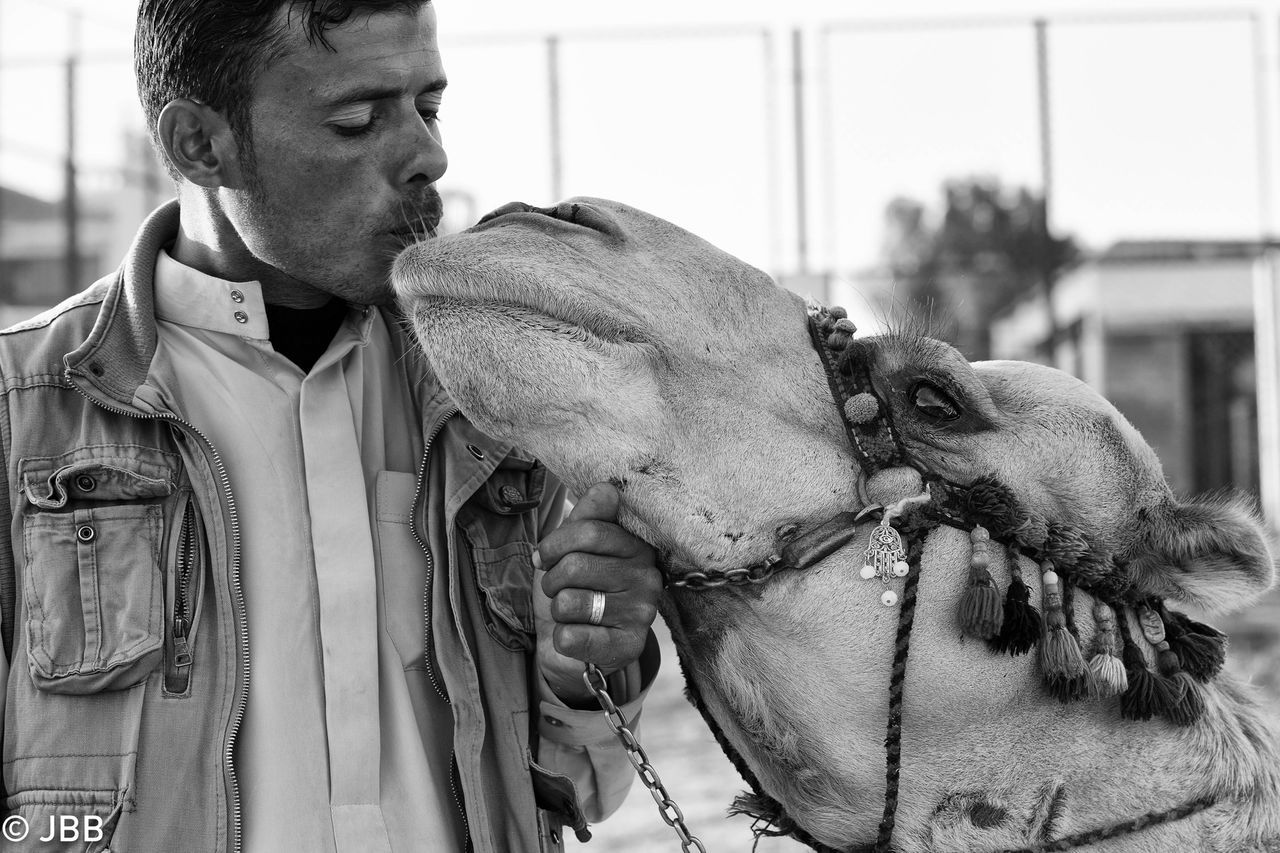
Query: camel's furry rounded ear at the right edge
x=1213, y=554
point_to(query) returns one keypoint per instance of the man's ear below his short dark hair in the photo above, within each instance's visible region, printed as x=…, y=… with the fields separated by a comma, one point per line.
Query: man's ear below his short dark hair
x=200, y=144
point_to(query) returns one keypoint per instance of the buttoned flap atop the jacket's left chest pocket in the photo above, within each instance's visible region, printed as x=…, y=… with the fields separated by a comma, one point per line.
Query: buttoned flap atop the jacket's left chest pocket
x=112, y=473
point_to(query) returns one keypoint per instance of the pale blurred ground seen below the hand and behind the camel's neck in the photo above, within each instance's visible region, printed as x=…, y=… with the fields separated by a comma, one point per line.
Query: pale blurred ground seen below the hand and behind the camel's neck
x=703, y=783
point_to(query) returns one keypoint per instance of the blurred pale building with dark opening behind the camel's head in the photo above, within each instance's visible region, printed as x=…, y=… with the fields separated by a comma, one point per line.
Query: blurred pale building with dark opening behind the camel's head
x=1165, y=331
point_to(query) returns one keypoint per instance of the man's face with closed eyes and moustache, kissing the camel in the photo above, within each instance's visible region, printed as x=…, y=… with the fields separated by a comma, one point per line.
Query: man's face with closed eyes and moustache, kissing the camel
x=346, y=153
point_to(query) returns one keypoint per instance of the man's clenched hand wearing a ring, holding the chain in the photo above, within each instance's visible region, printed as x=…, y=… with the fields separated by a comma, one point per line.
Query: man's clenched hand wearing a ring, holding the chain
x=589, y=553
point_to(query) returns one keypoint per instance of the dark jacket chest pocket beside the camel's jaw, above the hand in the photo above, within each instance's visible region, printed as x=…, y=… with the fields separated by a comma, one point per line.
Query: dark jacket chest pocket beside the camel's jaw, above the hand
x=501, y=527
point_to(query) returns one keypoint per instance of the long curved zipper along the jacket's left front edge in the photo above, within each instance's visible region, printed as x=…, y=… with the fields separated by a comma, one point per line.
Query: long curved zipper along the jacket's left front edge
x=237, y=597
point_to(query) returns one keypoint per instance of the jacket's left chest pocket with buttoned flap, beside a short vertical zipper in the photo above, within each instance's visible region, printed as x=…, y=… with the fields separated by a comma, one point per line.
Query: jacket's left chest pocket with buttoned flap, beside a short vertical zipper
x=94, y=585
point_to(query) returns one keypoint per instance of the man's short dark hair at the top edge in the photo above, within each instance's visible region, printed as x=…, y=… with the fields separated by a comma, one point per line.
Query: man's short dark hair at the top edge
x=213, y=51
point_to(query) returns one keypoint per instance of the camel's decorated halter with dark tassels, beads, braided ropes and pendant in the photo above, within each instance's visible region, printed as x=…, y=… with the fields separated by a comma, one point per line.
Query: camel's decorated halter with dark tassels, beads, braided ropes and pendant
x=1188, y=654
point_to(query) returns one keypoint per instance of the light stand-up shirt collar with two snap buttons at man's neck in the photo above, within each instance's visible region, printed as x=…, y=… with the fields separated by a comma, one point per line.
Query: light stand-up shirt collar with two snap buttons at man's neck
x=189, y=298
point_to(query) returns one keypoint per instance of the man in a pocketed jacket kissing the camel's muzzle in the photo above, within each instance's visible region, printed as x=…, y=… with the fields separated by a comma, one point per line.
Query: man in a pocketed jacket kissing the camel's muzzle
x=266, y=589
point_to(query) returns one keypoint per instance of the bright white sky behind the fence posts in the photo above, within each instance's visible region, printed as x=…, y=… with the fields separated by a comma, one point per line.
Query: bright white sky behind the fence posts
x=1155, y=111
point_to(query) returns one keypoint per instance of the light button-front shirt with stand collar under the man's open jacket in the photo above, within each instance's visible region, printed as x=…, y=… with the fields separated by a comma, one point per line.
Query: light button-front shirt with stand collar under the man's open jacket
x=345, y=745
